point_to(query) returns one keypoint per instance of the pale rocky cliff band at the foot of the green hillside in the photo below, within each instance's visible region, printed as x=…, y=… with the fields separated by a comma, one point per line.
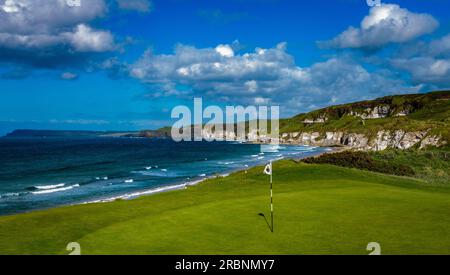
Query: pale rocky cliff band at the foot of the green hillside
x=383, y=140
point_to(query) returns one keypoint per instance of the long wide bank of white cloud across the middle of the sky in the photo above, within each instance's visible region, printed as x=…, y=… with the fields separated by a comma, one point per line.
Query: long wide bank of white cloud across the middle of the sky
x=262, y=76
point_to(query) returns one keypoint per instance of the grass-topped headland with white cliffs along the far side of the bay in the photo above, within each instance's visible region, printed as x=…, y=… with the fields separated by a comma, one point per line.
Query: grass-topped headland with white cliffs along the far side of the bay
x=401, y=123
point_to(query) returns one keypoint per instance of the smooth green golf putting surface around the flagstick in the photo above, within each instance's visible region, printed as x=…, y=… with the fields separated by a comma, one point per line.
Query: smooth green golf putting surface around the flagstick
x=320, y=209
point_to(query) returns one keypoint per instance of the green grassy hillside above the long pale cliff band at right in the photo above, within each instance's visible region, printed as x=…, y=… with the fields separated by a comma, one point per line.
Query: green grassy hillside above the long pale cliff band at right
x=416, y=112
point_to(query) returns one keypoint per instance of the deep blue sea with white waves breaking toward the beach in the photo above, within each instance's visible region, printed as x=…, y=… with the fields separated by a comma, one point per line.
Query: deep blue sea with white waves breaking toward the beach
x=40, y=173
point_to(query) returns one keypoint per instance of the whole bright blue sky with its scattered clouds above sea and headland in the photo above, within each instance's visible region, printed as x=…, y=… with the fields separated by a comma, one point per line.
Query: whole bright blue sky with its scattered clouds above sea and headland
x=123, y=65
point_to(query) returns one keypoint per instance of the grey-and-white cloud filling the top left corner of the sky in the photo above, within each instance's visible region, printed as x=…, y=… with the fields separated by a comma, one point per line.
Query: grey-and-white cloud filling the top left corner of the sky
x=51, y=32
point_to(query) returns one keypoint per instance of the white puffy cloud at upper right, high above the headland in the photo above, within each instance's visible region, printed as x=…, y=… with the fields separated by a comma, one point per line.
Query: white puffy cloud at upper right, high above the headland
x=385, y=24
